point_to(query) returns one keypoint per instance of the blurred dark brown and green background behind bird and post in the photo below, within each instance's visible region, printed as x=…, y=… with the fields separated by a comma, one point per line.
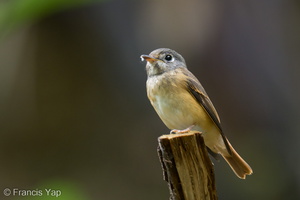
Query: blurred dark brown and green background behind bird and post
x=74, y=111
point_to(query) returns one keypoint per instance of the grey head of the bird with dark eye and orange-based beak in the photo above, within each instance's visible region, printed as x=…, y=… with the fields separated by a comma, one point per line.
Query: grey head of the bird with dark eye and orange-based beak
x=162, y=60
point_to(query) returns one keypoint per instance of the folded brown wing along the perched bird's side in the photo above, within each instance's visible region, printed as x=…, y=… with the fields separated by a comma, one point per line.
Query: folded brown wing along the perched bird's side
x=197, y=90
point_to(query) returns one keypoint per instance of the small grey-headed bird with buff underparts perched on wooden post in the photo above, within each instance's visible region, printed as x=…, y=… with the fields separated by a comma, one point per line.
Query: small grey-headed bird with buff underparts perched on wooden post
x=183, y=105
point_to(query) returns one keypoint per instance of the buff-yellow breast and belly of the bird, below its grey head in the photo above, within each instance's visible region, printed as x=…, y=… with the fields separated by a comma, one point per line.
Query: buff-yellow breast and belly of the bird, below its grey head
x=170, y=98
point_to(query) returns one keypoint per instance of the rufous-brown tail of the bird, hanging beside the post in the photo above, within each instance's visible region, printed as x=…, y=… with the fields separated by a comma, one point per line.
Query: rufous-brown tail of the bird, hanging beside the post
x=237, y=164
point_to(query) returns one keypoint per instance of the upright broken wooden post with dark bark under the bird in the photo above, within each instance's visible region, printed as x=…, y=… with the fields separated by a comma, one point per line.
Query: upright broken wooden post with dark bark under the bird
x=187, y=167
